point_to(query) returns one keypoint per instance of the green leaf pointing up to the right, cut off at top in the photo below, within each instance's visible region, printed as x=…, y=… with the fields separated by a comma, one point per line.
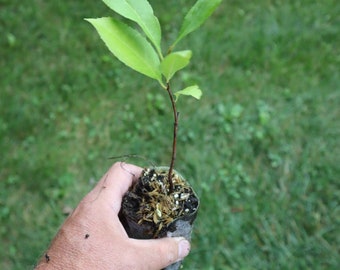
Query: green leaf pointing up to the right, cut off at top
x=196, y=16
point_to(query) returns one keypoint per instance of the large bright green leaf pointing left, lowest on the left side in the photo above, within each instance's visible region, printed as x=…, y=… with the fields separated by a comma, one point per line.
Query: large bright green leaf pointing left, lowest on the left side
x=129, y=46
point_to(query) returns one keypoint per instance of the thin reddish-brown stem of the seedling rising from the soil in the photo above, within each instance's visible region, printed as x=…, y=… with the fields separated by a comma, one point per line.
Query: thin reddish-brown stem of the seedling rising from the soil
x=174, y=141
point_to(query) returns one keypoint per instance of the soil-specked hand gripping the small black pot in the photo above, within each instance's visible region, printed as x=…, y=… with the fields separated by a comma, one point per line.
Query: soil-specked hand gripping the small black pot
x=92, y=237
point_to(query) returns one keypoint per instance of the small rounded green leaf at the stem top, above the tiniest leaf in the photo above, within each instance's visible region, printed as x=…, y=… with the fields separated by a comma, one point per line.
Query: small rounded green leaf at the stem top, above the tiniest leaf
x=174, y=62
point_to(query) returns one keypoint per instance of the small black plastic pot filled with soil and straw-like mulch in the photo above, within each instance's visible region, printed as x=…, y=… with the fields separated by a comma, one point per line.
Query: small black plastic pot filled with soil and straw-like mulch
x=150, y=209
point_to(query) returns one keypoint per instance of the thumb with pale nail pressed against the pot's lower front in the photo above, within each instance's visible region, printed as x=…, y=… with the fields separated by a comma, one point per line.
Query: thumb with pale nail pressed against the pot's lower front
x=156, y=254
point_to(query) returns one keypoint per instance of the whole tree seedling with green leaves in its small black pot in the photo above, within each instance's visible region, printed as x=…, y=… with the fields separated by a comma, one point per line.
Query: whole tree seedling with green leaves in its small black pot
x=161, y=200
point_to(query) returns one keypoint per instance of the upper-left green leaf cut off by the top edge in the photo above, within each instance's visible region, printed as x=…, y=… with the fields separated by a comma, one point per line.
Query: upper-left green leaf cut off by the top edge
x=141, y=12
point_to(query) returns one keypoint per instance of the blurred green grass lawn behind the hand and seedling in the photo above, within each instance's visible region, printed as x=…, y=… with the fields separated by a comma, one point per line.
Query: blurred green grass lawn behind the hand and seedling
x=261, y=148
